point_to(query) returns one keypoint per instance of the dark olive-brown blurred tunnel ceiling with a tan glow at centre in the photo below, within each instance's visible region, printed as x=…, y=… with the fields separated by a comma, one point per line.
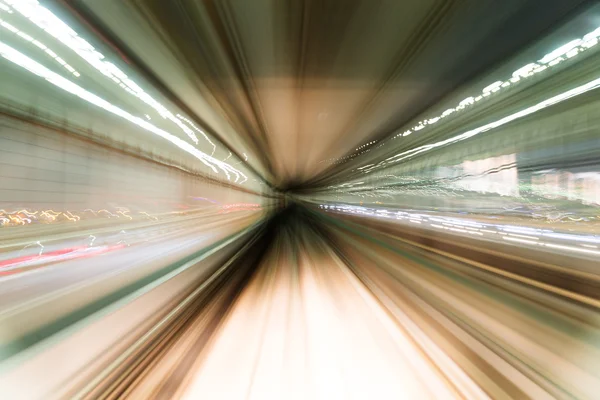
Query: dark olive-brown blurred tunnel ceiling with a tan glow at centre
x=301, y=83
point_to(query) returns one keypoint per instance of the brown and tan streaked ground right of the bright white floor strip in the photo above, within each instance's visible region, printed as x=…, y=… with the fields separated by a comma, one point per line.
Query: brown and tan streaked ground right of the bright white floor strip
x=520, y=328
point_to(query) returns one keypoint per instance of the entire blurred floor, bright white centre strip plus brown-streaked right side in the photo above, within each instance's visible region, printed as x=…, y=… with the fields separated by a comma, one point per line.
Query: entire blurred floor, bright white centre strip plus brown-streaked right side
x=352, y=308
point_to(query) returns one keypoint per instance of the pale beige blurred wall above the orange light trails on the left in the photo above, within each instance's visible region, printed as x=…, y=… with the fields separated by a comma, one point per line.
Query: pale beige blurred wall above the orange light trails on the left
x=45, y=169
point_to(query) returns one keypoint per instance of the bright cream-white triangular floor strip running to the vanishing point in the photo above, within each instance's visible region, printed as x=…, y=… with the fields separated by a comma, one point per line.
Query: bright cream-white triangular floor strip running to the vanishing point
x=307, y=328
